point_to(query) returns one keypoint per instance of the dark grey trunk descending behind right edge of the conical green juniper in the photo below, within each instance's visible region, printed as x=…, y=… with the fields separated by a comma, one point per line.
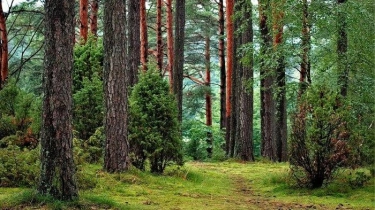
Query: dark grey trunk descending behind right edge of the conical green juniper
x=178, y=67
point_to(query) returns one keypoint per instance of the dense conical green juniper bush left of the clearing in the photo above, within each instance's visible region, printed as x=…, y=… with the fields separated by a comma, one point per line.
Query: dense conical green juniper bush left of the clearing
x=154, y=128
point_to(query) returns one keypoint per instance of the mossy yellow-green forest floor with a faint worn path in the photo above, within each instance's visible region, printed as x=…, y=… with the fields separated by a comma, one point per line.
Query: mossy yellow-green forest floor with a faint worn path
x=199, y=185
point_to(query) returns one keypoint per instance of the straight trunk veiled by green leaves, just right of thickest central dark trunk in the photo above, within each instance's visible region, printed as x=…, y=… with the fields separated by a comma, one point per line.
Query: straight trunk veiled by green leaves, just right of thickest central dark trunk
x=268, y=126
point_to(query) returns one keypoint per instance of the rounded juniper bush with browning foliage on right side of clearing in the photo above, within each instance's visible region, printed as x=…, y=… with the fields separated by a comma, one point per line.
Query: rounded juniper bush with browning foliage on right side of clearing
x=319, y=138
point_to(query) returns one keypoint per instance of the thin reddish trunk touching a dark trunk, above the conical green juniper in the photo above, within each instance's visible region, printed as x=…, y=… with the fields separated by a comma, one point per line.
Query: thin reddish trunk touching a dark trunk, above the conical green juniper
x=143, y=31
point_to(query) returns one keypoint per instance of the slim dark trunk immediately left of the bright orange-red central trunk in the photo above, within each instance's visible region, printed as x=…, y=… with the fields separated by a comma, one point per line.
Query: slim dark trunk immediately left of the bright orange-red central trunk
x=222, y=65
